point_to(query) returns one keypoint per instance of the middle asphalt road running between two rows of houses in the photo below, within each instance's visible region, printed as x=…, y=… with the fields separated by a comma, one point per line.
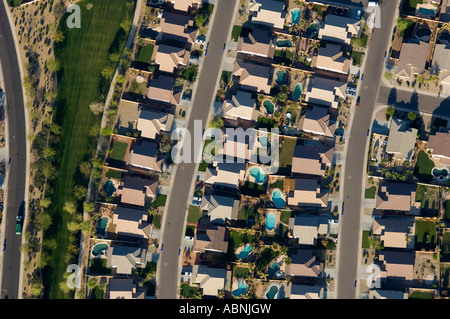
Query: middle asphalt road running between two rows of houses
x=179, y=196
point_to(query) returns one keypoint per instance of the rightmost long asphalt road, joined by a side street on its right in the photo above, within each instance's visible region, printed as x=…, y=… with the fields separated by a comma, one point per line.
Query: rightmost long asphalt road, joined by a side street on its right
x=353, y=186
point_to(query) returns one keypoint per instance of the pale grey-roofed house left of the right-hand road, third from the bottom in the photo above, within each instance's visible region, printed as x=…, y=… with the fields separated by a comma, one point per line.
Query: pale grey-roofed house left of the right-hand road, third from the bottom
x=307, y=227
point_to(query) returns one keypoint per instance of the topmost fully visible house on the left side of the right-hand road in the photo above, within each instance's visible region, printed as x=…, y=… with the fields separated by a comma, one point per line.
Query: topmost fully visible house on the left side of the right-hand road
x=339, y=29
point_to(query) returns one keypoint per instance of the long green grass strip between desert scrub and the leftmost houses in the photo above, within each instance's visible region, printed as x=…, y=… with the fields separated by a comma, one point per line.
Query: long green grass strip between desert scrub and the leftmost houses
x=83, y=55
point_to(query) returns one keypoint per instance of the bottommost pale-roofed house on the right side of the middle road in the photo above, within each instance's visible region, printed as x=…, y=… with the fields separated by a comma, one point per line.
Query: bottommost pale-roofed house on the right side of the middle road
x=211, y=280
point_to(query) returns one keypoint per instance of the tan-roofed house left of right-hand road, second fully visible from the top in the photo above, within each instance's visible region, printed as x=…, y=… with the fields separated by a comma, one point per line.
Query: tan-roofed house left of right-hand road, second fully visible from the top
x=332, y=58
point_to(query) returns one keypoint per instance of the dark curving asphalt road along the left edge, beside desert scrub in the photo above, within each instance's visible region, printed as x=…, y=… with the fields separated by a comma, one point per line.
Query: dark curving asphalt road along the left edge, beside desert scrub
x=16, y=178
